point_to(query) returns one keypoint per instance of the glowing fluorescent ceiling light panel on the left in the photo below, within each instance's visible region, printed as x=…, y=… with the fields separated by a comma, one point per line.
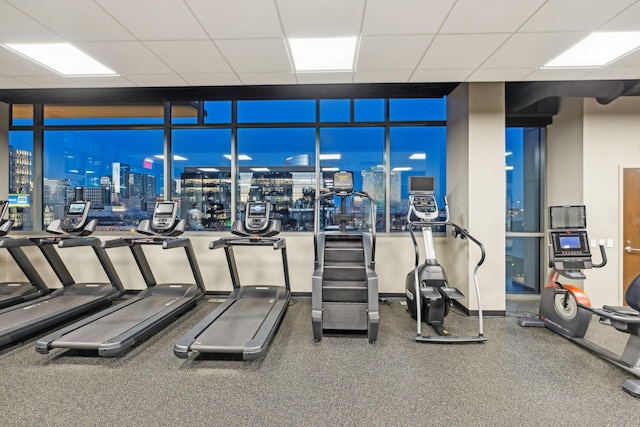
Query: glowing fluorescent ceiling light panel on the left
x=62, y=58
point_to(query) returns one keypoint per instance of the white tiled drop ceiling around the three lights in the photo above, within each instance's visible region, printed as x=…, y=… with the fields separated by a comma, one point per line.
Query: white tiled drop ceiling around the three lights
x=182, y=43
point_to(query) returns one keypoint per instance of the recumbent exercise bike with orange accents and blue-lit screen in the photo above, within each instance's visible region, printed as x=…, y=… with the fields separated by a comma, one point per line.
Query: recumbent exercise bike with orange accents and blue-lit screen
x=567, y=310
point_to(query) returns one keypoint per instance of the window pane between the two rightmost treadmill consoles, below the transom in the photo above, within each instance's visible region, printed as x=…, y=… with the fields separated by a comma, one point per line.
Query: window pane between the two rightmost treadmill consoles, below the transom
x=202, y=176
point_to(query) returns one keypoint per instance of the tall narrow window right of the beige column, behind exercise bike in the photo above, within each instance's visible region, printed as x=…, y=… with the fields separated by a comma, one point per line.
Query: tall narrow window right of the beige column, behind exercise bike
x=523, y=169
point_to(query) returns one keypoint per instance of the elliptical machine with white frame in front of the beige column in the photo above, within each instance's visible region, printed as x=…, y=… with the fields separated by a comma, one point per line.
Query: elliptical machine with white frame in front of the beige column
x=428, y=294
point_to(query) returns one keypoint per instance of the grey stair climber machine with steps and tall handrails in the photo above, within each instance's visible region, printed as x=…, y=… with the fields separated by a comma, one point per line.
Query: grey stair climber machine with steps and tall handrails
x=344, y=282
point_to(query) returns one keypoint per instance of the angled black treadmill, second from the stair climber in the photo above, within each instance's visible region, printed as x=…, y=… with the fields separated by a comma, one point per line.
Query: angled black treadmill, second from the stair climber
x=112, y=331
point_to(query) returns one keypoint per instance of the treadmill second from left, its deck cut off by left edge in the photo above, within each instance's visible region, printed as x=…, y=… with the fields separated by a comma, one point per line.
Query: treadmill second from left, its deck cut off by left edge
x=73, y=299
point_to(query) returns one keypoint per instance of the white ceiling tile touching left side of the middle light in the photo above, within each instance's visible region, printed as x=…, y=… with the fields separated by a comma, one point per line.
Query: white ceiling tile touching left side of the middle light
x=255, y=55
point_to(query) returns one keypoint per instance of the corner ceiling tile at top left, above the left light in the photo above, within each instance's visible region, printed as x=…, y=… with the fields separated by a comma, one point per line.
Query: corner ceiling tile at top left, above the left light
x=16, y=27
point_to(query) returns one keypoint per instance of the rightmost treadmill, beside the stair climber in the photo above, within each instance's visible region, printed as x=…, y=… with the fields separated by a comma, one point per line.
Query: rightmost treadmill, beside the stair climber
x=247, y=321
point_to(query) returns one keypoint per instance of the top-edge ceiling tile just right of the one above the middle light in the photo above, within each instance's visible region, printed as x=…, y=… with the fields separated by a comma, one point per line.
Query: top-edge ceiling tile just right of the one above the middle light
x=409, y=16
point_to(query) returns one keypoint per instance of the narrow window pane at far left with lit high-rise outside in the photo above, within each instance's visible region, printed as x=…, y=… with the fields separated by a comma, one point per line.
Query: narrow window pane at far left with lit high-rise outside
x=20, y=179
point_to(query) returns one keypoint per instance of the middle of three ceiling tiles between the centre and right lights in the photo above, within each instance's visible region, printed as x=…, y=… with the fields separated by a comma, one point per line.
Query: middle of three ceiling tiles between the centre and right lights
x=461, y=50
